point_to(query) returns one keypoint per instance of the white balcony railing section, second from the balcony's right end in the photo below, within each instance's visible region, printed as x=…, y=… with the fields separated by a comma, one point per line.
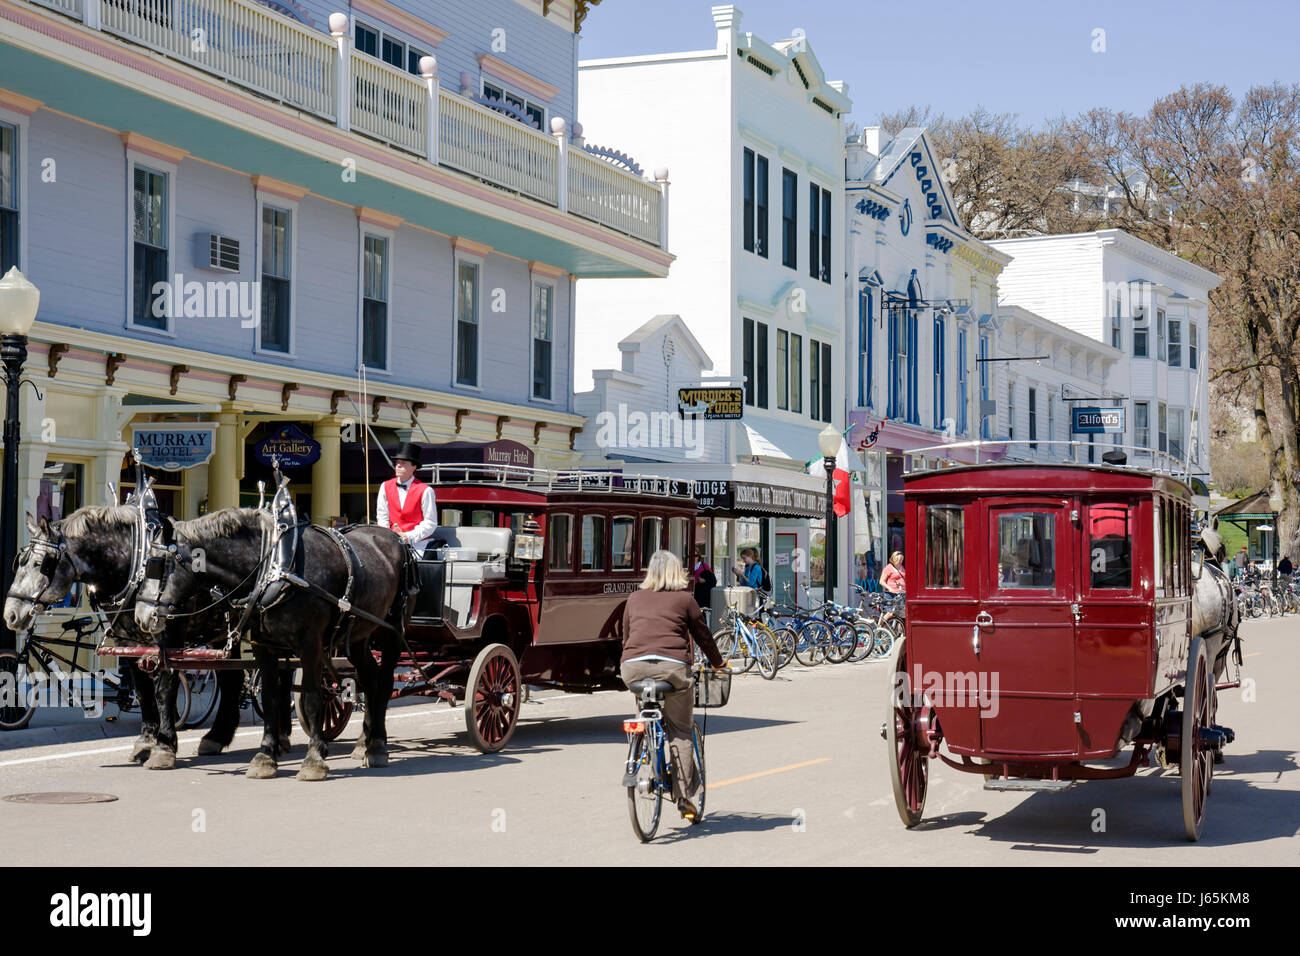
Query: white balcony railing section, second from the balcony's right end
x=482, y=142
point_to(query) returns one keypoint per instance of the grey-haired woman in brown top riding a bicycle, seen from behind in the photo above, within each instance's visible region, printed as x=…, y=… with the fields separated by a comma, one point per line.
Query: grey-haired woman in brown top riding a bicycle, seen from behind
x=661, y=628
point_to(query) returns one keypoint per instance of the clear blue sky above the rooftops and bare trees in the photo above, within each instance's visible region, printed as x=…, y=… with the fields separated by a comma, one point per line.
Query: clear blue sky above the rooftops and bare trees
x=1033, y=58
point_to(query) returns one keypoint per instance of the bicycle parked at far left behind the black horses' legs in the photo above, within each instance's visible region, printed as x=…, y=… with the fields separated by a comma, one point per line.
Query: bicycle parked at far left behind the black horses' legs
x=40, y=664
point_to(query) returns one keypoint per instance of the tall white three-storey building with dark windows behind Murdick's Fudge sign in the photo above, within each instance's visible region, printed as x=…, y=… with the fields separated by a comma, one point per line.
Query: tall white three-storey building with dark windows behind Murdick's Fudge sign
x=752, y=135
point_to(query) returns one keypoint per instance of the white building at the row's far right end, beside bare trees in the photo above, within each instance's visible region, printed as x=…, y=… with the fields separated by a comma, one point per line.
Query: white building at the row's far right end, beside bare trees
x=1151, y=308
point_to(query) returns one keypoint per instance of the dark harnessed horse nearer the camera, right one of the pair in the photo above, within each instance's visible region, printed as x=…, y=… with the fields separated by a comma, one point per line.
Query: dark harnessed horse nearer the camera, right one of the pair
x=227, y=551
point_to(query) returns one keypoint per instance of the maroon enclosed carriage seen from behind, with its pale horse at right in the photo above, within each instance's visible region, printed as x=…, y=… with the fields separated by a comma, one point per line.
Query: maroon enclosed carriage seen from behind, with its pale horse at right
x=1056, y=616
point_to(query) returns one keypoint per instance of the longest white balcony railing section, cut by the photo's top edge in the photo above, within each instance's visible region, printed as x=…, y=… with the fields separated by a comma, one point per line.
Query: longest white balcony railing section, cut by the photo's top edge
x=242, y=42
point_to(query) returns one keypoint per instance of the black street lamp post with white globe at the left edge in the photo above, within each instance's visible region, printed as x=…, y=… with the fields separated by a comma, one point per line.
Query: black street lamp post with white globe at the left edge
x=19, y=302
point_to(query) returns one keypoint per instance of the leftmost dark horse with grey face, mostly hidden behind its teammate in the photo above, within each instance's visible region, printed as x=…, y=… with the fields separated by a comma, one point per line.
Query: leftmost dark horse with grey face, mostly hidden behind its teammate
x=96, y=547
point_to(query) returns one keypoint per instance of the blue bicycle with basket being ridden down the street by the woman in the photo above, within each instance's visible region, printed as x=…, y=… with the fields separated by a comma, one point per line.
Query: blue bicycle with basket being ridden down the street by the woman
x=649, y=771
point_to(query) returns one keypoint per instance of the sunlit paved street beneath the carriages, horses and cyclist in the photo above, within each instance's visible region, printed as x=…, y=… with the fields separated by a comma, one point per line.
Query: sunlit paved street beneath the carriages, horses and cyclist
x=798, y=775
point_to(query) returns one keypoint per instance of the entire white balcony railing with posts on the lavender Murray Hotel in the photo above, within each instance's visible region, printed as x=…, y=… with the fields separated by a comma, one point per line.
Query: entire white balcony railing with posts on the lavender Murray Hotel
x=268, y=54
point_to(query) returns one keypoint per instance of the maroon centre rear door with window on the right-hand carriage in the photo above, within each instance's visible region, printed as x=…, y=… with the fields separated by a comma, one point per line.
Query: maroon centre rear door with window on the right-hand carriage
x=1026, y=628
